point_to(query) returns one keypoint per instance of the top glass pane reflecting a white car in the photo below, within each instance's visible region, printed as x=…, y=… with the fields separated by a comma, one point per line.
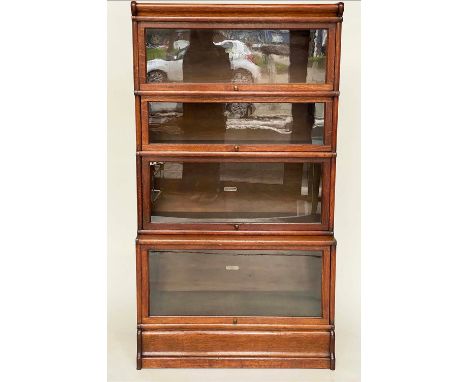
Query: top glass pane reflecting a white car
x=238, y=56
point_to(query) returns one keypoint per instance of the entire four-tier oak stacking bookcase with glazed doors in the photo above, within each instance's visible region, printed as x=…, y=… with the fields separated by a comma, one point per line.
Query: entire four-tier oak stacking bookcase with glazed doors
x=236, y=121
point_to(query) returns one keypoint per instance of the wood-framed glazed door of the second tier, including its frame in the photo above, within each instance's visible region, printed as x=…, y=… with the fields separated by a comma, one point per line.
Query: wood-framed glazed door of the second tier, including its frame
x=251, y=125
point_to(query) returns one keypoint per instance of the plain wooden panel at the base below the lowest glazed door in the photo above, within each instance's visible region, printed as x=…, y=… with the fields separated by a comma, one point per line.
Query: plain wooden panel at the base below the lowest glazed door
x=277, y=344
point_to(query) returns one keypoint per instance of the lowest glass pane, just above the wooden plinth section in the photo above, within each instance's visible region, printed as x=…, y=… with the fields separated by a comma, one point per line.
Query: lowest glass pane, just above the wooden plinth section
x=238, y=283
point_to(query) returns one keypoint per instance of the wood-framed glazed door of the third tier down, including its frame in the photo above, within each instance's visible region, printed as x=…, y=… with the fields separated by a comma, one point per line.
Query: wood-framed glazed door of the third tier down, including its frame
x=228, y=195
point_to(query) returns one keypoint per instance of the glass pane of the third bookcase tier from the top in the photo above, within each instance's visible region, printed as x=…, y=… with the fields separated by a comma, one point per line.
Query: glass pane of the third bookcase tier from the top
x=236, y=192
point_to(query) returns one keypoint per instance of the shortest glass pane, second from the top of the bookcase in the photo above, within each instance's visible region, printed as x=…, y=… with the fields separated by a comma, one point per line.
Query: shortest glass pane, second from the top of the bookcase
x=236, y=123
